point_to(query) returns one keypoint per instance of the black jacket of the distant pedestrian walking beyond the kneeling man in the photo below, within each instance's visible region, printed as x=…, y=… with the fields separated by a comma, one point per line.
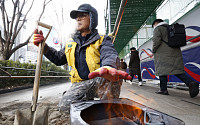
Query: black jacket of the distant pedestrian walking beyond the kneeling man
x=134, y=64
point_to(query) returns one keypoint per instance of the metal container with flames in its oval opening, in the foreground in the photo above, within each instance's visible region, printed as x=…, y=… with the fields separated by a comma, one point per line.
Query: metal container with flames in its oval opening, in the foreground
x=118, y=112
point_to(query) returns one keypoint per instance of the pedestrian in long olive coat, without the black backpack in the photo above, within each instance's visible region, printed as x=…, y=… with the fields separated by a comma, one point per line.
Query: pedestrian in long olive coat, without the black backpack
x=168, y=60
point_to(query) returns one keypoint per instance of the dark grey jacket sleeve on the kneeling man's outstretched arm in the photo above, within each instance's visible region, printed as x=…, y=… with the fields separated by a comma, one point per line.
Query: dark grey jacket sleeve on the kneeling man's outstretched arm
x=108, y=54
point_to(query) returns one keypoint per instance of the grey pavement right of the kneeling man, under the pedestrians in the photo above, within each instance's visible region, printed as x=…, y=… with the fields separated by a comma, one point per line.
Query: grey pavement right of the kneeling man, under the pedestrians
x=177, y=104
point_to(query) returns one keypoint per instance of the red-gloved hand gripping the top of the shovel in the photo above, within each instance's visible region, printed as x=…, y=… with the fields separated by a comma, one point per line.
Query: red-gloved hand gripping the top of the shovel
x=38, y=38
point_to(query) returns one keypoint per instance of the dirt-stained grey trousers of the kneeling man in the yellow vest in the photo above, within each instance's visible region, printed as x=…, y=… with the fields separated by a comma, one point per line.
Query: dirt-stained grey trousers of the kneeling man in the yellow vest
x=88, y=90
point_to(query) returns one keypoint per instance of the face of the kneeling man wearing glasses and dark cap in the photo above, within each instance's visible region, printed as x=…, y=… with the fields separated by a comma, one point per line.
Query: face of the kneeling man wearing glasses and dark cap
x=83, y=21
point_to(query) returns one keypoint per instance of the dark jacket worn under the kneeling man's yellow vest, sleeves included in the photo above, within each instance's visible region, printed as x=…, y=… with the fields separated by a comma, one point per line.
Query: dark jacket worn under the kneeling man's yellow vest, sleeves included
x=108, y=55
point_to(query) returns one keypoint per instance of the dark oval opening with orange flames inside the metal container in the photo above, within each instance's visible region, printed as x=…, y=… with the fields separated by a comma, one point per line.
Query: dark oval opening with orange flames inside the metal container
x=113, y=114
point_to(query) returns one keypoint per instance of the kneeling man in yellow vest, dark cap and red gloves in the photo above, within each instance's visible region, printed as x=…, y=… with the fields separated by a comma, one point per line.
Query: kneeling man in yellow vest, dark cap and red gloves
x=93, y=59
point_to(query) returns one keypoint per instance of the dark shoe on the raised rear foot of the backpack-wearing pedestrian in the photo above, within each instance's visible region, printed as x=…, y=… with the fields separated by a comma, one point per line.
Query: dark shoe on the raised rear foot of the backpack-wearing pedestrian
x=193, y=89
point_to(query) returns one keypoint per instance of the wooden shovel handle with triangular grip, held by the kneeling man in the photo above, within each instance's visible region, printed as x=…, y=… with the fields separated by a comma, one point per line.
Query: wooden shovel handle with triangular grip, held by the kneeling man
x=38, y=67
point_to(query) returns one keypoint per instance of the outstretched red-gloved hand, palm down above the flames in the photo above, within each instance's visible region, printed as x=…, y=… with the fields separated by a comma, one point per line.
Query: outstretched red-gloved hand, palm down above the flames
x=110, y=74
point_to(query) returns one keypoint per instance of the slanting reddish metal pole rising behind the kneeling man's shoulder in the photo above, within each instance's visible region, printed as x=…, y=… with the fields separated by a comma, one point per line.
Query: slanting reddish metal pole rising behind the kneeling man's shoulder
x=118, y=19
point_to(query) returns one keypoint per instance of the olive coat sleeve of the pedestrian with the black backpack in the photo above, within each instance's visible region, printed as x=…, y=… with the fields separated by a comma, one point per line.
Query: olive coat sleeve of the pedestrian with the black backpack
x=157, y=39
